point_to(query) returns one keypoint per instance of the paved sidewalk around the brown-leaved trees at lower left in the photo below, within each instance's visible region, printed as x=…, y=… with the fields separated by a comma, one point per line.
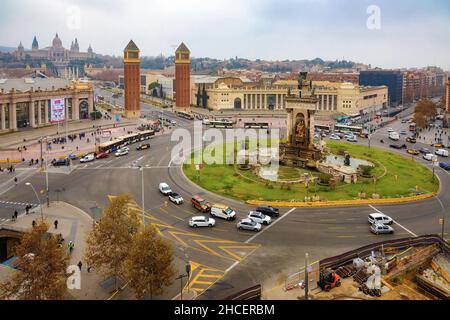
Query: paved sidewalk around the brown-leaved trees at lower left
x=74, y=225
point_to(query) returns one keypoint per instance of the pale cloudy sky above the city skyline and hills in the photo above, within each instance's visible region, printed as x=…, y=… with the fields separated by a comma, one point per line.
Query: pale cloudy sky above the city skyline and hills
x=409, y=33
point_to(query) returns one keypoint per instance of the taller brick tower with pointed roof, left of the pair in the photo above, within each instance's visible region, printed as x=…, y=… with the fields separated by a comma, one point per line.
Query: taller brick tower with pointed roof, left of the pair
x=132, y=68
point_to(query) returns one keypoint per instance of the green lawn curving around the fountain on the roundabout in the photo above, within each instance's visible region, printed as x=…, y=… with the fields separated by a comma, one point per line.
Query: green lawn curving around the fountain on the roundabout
x=397, y=175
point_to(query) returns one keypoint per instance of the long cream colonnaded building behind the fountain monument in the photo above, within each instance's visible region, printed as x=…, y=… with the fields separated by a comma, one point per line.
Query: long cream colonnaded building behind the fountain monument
x=242, y=94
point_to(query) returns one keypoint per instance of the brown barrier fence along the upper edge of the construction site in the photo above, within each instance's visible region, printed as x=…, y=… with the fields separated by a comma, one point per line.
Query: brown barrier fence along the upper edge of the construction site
x=335, y=262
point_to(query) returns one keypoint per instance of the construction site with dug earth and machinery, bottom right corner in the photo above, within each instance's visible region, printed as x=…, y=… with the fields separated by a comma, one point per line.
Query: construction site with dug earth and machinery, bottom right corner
x=405, y=269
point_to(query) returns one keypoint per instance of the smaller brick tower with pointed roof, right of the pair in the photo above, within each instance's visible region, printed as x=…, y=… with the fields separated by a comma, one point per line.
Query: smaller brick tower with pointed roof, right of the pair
x=182, y=78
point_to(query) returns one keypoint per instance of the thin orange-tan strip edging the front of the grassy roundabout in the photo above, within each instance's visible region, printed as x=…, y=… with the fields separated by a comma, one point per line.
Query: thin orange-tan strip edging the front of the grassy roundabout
x=342, y=203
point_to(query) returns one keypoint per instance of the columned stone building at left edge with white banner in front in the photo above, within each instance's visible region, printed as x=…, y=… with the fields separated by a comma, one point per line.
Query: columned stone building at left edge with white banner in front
x=25, y=102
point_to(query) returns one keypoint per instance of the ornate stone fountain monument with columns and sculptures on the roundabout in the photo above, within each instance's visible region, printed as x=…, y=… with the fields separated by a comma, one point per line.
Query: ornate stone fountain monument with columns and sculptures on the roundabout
x=300, y=150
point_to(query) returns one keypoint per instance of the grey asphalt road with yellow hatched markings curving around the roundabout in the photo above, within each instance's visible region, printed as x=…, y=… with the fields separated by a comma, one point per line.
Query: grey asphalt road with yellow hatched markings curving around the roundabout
x=224, y=259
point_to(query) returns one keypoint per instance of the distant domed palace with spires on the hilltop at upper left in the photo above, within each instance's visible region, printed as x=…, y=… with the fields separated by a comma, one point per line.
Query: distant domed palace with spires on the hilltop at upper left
x=56, y=53
